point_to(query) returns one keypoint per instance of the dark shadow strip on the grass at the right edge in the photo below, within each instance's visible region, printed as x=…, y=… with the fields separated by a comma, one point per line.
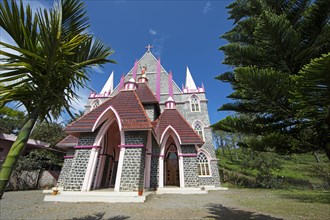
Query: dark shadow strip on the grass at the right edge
x=316, y=197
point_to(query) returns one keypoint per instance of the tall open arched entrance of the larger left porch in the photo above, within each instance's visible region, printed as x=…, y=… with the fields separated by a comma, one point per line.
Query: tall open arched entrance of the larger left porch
x=108, y=158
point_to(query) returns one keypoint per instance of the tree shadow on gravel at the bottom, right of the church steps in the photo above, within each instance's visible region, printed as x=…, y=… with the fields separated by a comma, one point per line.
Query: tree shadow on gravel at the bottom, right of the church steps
x=218, y=211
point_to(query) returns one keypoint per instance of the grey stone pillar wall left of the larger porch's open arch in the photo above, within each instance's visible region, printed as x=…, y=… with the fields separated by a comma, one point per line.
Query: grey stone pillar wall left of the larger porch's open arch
x=77, y=173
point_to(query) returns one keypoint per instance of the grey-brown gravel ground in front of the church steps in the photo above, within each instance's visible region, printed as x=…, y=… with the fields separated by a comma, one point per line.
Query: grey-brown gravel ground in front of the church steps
x=214, y=205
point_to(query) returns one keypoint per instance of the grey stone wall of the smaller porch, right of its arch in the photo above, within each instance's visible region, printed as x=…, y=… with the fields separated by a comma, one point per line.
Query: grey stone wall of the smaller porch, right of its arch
x=190, y=166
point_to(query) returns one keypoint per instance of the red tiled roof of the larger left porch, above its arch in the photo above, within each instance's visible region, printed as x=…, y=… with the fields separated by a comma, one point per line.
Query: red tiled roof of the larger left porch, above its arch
x=127, y=105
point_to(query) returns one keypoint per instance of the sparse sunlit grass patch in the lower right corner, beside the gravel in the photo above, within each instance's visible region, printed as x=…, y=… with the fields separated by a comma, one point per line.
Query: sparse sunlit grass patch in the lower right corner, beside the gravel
x=287, y=204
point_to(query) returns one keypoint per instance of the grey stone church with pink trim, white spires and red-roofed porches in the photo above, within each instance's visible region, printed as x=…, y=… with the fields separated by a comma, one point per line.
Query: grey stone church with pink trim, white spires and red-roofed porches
x=145, y=133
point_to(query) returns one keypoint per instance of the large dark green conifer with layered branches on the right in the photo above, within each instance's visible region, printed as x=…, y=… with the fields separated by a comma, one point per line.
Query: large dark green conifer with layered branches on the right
x=280, y=54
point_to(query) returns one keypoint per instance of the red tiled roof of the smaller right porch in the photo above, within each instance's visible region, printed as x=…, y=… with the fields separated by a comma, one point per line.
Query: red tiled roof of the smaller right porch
x=175, y=119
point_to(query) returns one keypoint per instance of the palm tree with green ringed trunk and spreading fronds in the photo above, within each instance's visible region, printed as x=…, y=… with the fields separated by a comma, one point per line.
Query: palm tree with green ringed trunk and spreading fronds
x=49, y=62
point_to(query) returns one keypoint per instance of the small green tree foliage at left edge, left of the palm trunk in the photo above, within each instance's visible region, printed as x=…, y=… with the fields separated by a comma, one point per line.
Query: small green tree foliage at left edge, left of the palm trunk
x=11, y=120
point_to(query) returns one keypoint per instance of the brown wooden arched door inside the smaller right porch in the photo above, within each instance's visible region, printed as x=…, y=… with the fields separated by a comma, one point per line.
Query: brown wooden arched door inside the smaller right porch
x=171, y=166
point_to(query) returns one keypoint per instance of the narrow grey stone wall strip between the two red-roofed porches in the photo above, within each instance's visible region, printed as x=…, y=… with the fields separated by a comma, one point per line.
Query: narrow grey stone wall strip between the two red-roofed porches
x=154, y=175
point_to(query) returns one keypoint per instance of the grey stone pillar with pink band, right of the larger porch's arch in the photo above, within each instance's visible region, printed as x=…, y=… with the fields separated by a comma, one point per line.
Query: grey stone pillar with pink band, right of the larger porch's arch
x=132, y=177
